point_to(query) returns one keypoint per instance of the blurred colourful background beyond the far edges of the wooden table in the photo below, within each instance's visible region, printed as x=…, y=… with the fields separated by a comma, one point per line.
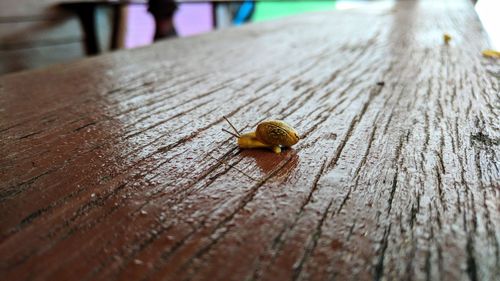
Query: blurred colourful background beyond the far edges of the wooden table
x=37, y=33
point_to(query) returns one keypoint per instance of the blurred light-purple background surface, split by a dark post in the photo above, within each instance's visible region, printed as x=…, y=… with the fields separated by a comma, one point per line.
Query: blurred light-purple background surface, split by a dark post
x=190, y=19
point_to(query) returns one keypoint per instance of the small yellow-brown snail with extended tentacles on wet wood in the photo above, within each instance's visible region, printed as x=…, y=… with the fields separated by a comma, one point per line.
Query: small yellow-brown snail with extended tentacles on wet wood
x=272, y=134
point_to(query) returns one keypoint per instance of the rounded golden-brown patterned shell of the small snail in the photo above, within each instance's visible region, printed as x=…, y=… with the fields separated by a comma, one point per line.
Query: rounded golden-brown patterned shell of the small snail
x=274, y=132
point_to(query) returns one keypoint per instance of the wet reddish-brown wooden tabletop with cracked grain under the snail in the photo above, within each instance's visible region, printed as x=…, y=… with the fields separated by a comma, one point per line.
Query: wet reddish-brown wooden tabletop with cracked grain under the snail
x=116, y=168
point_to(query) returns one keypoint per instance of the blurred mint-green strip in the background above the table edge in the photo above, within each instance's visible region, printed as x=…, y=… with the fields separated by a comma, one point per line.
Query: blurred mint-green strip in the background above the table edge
x=273, y=10
